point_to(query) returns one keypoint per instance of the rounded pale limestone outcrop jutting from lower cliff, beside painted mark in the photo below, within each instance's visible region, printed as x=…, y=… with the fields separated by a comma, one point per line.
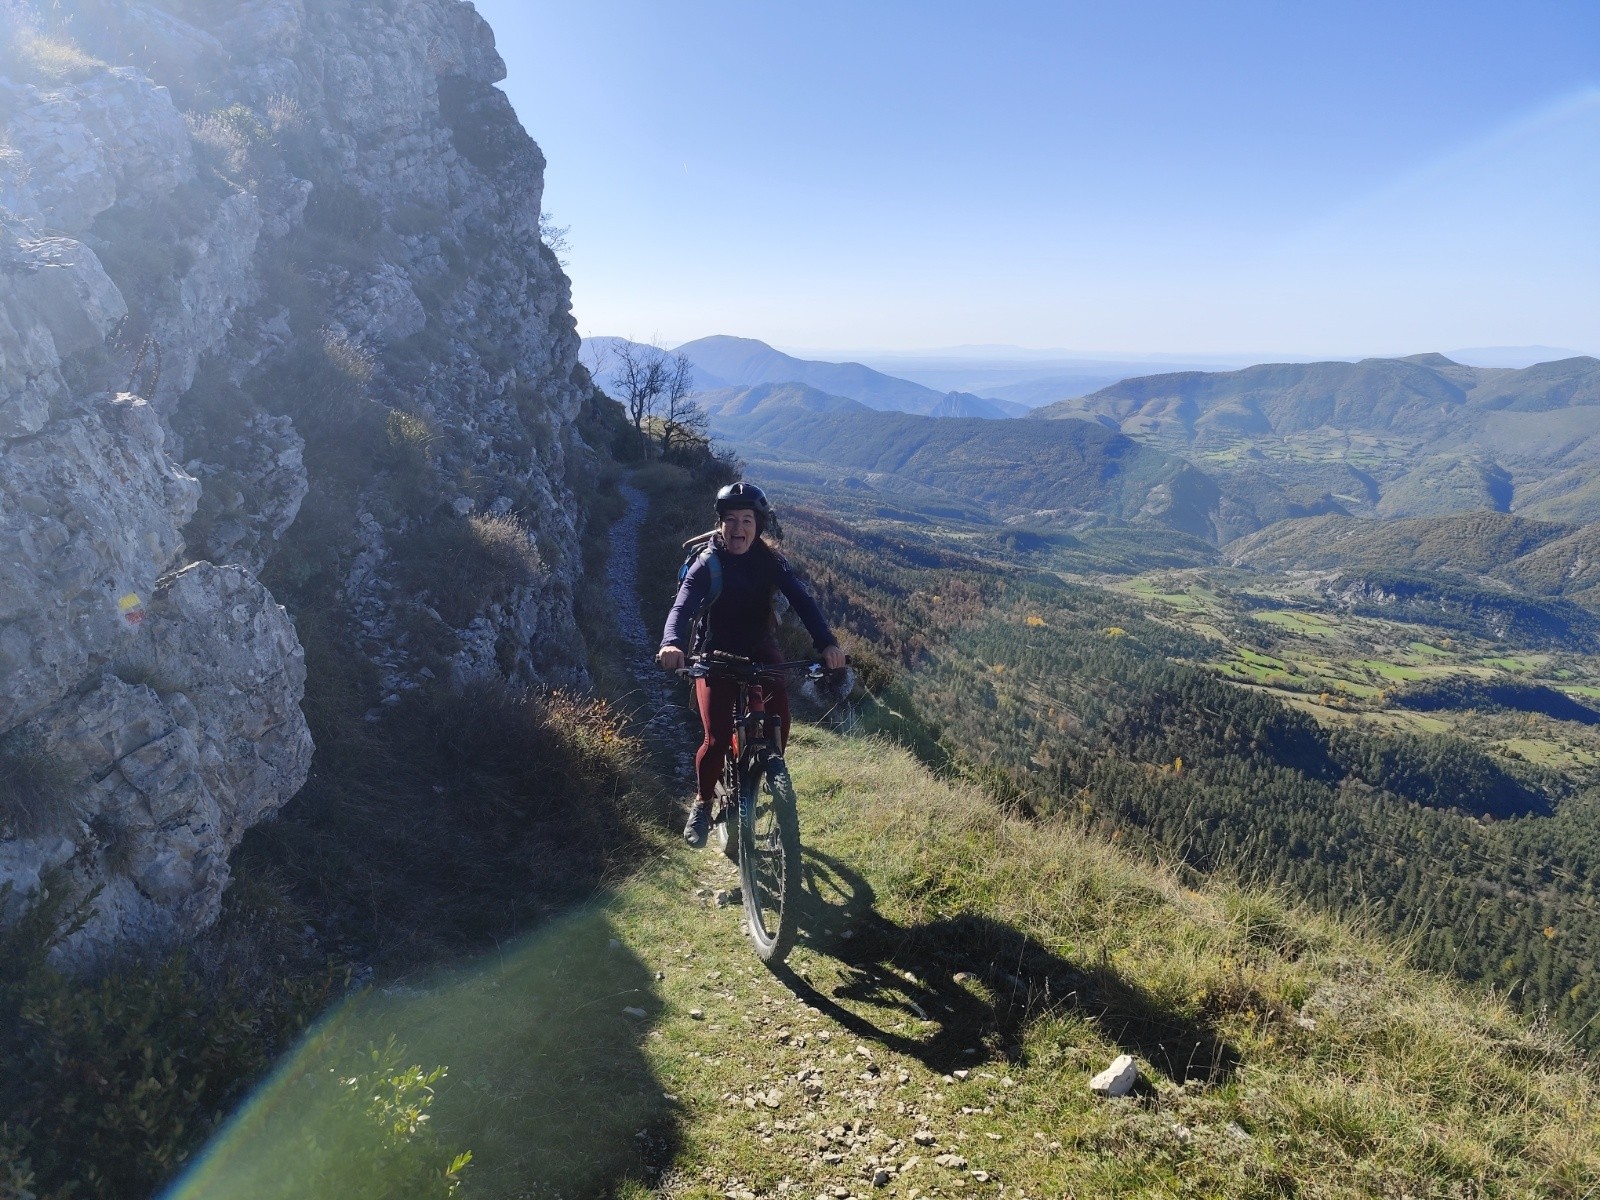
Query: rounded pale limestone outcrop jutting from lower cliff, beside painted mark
x=186, y=743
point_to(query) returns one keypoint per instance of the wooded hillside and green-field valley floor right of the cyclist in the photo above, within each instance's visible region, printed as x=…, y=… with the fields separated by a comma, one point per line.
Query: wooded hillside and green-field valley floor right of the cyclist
x=1242, y=734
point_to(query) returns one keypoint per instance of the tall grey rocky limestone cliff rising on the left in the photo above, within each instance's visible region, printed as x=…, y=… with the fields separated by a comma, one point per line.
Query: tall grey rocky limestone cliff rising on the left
x=282, y=362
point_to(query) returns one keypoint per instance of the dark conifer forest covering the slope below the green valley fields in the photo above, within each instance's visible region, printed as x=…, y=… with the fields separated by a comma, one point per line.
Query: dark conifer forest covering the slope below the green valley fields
x=1074, y=703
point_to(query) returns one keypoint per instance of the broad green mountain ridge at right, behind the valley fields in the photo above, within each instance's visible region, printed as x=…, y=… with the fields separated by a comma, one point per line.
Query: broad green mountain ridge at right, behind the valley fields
x=1383, y=438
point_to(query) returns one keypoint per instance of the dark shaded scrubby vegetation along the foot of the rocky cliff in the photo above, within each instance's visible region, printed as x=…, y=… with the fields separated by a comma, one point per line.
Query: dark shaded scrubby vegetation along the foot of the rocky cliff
x=438, y=833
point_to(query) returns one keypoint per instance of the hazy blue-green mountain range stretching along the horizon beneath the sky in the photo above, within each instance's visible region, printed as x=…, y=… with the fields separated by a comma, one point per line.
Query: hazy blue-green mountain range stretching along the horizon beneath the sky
x=1214, y=455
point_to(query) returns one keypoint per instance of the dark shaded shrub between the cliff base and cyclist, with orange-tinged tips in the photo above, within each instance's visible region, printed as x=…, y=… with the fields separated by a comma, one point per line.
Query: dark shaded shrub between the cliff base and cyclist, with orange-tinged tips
x=492, y=807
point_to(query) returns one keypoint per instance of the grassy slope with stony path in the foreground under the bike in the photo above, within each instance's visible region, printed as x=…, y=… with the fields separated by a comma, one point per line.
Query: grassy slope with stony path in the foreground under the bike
x=964, y=975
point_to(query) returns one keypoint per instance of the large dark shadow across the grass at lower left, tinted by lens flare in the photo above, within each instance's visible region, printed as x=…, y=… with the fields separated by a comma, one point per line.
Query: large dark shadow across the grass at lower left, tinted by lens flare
x=548, y=1082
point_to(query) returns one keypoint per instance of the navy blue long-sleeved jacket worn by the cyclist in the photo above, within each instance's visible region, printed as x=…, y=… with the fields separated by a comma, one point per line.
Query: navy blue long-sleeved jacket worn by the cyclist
x=742, y=622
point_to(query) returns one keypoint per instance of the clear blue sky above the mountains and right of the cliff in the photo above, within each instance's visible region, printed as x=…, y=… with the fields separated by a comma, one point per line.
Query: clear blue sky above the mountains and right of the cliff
x=1134, y=177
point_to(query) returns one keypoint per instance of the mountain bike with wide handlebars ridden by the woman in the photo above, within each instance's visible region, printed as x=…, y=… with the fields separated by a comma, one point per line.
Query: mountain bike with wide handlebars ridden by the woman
x=754, y=817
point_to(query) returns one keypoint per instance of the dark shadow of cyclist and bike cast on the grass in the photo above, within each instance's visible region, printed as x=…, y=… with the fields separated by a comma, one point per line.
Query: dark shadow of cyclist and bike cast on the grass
x=978, y=983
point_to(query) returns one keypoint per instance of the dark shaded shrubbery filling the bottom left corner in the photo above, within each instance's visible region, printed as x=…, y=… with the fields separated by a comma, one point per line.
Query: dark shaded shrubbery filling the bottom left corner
x=113, y=1082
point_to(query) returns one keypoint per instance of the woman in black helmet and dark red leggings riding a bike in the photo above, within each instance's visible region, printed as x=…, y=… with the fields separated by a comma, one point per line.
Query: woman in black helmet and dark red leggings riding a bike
x=740, y=586
